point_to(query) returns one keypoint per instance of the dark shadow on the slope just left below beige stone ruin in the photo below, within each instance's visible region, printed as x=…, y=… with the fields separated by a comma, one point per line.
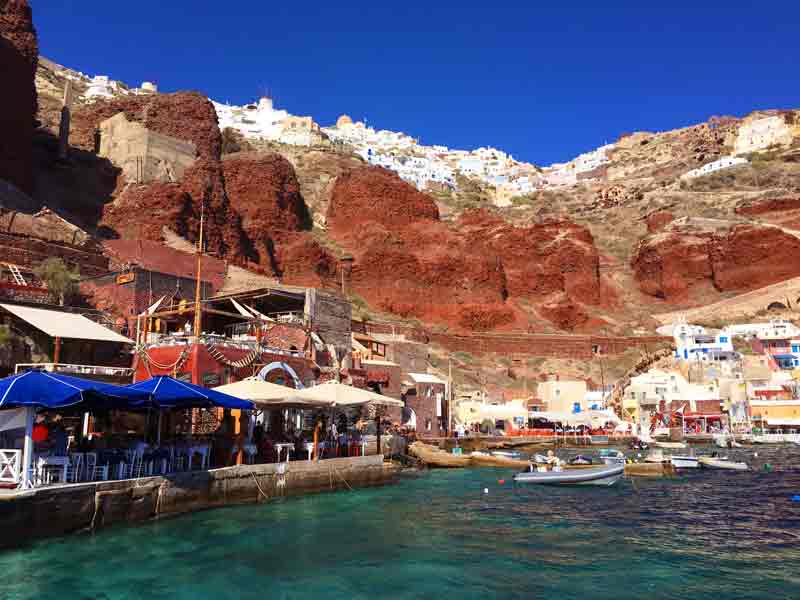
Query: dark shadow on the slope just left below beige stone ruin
x=77, y=188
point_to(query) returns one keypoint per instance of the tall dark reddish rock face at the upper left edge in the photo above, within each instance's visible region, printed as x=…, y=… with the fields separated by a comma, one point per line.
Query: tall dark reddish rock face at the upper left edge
x=19, y=55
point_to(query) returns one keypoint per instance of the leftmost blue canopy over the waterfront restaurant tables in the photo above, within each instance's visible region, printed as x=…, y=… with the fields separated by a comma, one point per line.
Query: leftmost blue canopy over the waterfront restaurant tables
x=51, y=390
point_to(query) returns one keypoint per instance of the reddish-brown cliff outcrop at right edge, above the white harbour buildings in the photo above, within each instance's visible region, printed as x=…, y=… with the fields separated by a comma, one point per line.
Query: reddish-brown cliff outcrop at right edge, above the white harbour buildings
x=736, y=258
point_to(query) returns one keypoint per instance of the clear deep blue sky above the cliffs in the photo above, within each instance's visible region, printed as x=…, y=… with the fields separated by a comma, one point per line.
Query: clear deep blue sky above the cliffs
x=542, y=80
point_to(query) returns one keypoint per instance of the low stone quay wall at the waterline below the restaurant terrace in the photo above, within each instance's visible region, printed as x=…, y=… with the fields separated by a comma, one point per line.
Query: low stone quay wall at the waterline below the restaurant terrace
x=61, y=510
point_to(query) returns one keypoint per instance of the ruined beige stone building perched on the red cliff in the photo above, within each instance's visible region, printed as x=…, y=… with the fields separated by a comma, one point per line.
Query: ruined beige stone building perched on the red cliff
x=144, y=156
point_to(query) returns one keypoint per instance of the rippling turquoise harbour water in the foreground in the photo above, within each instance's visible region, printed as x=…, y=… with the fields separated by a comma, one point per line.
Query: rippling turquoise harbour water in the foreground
x=438, y=535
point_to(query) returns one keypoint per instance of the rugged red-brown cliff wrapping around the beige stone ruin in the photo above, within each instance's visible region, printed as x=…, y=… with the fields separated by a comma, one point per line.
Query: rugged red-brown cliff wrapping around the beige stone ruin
x=145, y=209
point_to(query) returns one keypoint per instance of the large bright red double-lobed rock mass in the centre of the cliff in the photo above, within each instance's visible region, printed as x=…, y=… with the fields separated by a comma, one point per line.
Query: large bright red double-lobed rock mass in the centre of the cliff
x=408, y=262
